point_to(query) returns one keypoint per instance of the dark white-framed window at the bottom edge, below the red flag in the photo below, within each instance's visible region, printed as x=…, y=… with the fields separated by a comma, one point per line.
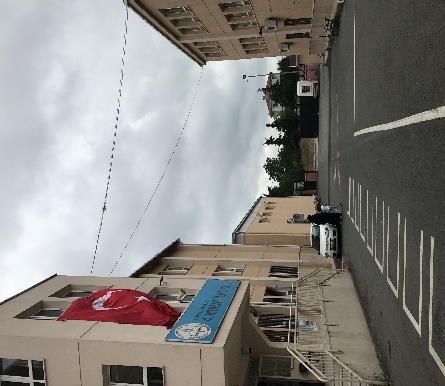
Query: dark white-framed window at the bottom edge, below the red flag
x=133, y=375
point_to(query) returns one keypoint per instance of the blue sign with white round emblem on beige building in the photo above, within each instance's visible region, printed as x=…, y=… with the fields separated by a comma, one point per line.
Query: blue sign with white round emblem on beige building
x=201, y=320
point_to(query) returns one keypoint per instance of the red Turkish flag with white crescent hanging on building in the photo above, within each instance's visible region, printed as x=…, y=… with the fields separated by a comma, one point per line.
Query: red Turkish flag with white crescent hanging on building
x=121, y=306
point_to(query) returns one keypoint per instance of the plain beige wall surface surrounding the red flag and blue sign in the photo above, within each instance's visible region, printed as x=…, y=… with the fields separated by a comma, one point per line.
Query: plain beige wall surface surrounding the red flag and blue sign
x=74, y=352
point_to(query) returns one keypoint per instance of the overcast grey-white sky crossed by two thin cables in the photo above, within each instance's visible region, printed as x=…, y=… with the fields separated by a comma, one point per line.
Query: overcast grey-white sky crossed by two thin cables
x=59, y=74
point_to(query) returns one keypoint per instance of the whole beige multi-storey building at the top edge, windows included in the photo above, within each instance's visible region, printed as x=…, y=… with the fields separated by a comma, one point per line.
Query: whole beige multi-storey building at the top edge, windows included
x=213, y=30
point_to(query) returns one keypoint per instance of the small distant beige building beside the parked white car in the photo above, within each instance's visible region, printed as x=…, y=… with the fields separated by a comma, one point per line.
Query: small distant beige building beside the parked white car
x=276, y=221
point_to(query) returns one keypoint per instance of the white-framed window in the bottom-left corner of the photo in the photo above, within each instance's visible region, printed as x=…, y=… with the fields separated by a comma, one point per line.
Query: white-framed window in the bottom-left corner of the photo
x=21, y=371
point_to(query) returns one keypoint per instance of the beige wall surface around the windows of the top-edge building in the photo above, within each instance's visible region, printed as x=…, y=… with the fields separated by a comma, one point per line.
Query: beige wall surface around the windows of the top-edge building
x=220, y=29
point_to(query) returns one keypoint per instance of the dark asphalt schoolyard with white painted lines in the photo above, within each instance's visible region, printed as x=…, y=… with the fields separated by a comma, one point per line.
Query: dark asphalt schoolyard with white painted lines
x=391, y=183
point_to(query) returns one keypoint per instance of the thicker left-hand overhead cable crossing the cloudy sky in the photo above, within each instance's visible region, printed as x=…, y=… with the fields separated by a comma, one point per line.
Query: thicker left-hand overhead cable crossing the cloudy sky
x=104, y=206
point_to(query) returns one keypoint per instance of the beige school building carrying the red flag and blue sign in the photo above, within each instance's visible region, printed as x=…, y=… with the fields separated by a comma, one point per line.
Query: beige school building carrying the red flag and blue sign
x=283, y=326
